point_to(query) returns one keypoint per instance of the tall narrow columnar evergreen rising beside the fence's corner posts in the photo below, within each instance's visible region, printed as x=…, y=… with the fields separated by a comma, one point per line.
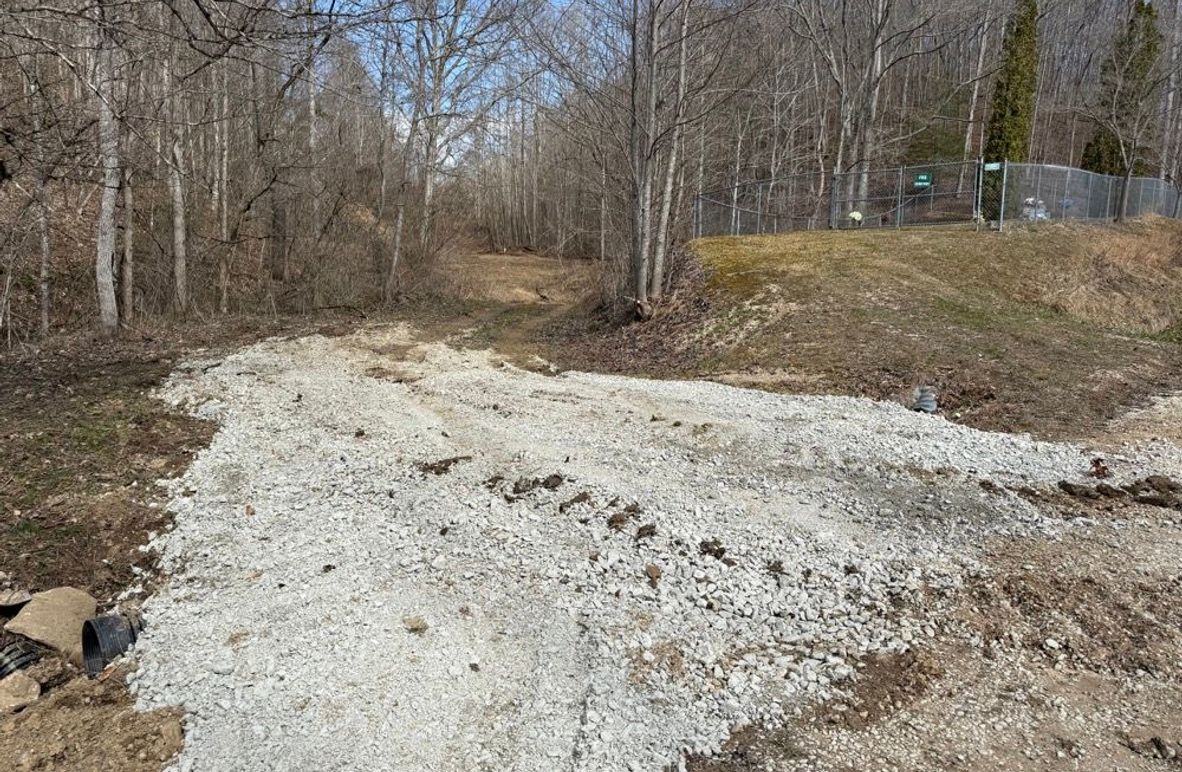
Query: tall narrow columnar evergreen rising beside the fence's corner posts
x=1012, y=108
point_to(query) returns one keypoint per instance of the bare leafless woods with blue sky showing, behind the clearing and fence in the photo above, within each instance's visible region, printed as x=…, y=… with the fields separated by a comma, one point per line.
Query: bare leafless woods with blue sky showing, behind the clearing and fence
x=180, y=158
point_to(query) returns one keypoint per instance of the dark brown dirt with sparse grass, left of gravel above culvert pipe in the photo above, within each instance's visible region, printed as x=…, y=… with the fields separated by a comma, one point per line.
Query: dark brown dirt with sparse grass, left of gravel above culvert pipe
x=85, y=444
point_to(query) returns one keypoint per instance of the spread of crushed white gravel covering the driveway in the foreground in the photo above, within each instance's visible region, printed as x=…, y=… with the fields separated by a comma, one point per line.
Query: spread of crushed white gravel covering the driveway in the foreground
x=302, y=548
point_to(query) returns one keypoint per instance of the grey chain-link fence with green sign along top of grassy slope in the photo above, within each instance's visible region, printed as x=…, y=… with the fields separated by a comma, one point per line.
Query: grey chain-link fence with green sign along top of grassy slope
x=975, y=194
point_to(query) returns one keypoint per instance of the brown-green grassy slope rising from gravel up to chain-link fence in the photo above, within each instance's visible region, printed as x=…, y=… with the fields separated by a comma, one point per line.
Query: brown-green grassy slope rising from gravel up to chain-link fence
x=1051, y=332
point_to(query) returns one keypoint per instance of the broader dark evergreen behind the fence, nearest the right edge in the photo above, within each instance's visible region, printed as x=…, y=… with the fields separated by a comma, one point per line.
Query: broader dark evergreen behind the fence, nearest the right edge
x=1127, y=87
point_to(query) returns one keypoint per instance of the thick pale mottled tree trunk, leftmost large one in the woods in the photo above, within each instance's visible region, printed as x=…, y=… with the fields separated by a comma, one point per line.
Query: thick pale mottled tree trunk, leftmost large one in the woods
x=109, y=161
